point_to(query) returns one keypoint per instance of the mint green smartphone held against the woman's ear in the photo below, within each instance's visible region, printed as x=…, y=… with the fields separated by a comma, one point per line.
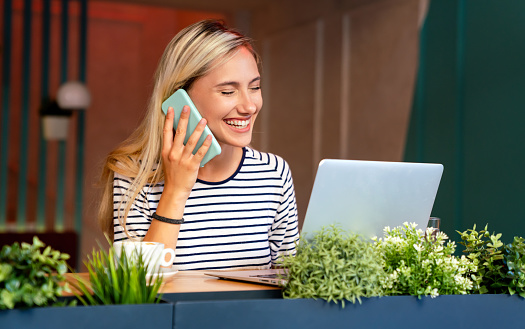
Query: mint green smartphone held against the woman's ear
x=177, y=100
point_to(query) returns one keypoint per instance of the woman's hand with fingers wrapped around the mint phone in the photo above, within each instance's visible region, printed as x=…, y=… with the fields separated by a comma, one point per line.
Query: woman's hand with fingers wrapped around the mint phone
x=180, y=165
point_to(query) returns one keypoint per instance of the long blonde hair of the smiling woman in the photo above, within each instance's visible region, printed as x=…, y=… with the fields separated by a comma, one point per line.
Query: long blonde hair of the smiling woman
x=191, y=54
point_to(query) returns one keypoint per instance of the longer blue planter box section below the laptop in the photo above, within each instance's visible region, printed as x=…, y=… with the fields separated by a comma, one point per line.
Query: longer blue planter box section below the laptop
x=458, y=311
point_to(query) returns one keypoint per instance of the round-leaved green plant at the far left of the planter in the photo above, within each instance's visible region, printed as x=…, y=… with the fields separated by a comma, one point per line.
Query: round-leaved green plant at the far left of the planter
x=31, y=277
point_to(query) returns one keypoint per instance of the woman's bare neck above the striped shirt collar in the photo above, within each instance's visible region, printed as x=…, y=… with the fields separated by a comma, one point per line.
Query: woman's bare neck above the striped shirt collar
x=223, y=165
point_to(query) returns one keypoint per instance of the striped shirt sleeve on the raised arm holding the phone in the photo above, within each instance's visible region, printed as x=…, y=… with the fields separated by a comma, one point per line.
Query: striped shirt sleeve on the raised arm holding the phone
x=138, y=219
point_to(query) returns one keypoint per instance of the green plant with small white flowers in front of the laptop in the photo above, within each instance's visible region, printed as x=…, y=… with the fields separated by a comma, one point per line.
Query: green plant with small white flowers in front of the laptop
x=417, y=265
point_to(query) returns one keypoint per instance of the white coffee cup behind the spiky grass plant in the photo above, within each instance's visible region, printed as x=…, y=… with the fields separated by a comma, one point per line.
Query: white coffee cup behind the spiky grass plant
x=153, y=253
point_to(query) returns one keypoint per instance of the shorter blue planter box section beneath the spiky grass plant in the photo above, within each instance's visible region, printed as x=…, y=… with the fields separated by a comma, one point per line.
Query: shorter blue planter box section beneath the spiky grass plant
x=157, y=316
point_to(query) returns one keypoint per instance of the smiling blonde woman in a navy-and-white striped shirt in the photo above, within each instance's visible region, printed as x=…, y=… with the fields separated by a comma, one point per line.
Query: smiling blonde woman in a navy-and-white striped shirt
x=239, y=210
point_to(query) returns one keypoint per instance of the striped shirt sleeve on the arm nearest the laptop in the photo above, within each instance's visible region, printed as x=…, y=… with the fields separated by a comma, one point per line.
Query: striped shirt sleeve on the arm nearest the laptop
x=284, y=231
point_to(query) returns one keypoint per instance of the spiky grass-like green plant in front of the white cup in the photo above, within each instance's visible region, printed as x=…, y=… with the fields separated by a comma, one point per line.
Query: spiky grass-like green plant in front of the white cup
x=117, y=280
